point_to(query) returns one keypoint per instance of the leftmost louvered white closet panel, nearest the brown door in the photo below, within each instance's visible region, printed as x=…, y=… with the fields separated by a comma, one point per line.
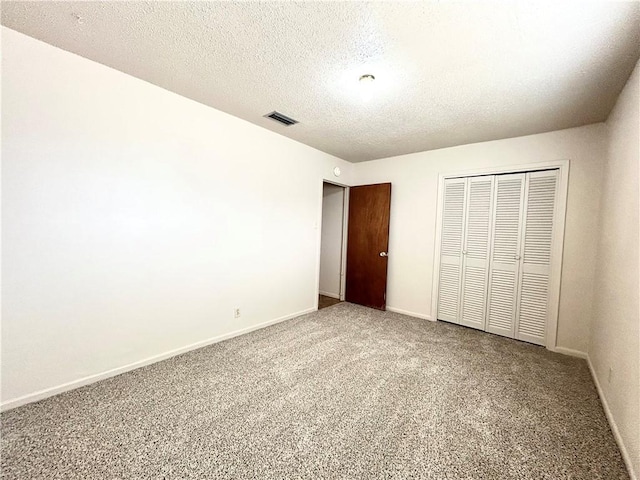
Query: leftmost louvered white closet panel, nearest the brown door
x=451, y=250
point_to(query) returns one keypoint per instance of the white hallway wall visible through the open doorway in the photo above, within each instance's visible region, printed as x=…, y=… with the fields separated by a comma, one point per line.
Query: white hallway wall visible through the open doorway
x=331, y=245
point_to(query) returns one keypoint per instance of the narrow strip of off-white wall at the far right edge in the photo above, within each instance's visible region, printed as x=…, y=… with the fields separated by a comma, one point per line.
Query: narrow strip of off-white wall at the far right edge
x=615, y=338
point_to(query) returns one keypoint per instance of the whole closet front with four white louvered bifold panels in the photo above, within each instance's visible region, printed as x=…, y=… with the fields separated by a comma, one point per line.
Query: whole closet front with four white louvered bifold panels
x=499, y=237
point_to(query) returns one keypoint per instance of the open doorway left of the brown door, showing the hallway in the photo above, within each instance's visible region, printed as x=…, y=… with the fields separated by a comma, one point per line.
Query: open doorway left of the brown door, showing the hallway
x=332, y=245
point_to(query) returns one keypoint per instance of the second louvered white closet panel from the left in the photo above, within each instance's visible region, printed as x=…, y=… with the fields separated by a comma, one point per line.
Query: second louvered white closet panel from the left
x=476, y=251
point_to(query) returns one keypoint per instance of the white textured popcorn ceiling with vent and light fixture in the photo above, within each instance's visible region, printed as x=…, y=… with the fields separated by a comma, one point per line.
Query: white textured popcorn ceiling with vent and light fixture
x=446, y=73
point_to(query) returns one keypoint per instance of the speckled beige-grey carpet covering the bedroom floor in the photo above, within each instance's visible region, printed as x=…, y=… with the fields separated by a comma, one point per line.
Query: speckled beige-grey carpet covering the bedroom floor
x=345, y=392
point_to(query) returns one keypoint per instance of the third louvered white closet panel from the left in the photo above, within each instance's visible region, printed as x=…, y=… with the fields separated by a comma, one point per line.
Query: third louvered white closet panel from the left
x=505, y=255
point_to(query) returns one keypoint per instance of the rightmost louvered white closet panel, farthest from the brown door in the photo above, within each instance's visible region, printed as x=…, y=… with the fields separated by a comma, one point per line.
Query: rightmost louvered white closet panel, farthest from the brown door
x=538, y=215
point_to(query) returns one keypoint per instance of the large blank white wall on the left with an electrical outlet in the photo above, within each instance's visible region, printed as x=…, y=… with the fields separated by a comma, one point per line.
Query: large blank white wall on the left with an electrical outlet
x=135, y=220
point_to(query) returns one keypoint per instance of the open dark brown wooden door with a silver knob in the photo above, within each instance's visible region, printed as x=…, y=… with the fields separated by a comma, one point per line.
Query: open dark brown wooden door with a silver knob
x=368, y=237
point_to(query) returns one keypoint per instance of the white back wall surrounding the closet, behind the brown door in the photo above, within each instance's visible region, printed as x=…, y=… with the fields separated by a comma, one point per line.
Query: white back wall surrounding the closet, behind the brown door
x=413, y=216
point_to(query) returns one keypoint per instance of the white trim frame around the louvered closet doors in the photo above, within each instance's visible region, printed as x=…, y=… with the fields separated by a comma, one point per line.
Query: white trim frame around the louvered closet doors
x=557, y=245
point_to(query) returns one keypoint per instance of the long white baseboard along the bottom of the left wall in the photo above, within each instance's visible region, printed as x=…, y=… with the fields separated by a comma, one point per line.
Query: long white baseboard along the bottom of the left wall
x=65, y=387
